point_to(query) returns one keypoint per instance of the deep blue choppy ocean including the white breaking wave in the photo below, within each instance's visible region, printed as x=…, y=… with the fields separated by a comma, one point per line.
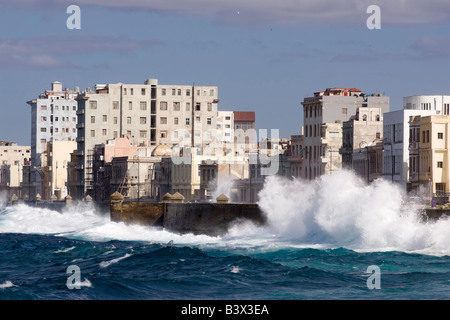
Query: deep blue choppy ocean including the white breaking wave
x=335, y=238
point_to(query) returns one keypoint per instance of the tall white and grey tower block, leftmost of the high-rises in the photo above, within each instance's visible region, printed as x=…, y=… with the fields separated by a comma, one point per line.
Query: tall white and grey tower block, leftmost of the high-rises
x=53, y=118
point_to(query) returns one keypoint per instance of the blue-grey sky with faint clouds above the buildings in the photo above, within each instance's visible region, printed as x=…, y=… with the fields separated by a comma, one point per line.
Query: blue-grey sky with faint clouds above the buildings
x=264, y=56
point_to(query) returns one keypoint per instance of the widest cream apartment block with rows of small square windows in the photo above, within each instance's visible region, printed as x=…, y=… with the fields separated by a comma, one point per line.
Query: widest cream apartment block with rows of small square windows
x=149, y=114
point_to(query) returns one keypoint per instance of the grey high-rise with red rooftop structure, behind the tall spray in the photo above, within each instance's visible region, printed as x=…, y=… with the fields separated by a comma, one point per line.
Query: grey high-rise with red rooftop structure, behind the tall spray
x=323, y=115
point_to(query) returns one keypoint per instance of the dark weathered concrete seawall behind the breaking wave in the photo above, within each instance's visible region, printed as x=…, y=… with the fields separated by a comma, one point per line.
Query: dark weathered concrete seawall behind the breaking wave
x=198, y=218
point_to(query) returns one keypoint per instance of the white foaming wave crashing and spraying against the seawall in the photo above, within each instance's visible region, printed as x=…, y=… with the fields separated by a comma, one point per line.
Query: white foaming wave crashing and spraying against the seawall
x=337, y=210
